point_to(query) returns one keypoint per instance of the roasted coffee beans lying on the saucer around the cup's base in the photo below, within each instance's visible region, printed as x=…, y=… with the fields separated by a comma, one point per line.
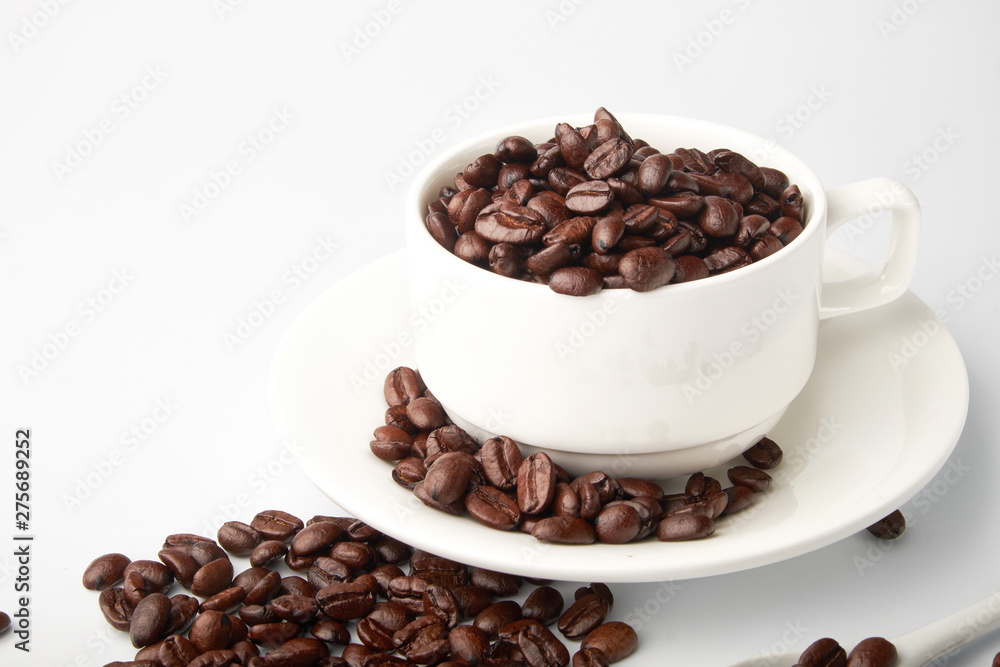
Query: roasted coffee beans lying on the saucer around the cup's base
x=499, y=487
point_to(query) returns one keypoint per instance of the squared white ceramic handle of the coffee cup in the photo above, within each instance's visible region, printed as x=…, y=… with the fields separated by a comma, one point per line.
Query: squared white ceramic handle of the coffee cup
x=880, y=286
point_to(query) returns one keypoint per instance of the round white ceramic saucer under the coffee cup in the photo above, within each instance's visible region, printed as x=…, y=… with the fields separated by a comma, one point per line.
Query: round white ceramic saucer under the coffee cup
x=879, y=417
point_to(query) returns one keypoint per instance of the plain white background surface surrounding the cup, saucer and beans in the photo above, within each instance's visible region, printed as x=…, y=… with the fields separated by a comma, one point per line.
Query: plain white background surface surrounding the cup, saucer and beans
x=114, y=115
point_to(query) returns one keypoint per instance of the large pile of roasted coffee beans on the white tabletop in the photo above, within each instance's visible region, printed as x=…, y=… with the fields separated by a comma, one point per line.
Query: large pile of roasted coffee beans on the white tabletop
x=353, y=592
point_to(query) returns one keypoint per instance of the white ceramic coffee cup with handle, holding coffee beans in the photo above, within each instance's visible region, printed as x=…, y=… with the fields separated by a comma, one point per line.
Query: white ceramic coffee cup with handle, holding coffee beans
x=679, y=378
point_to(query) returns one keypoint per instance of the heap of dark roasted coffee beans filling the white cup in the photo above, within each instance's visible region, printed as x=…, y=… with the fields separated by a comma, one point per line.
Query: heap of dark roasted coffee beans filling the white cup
x=592, y=208
